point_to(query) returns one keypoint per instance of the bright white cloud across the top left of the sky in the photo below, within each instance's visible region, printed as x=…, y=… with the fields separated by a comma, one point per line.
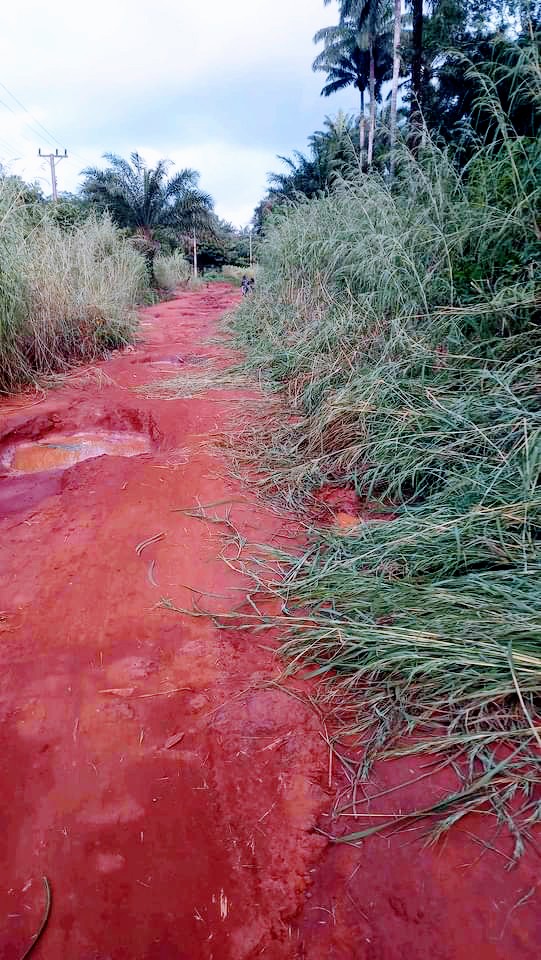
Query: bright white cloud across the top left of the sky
x=122, y=45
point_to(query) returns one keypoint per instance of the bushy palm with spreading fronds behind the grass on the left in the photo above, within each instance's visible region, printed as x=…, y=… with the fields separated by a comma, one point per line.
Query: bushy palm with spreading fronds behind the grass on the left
x=148, y=202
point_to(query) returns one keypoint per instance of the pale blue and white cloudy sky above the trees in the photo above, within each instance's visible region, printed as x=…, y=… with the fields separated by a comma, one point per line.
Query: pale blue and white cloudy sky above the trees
x=219, y=86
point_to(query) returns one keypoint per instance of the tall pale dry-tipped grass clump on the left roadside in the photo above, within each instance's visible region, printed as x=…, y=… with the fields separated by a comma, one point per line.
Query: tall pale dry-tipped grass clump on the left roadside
x=66, y=295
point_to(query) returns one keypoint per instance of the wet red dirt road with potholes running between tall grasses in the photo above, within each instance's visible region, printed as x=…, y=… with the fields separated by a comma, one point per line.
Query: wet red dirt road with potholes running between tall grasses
x=152, y=769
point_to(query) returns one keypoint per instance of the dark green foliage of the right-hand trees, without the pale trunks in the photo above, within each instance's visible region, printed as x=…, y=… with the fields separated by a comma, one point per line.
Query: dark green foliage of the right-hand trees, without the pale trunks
x=438, y=48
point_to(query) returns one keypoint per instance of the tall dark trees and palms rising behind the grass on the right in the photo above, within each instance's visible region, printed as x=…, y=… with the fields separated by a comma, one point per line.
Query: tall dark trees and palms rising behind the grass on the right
x=408, y=66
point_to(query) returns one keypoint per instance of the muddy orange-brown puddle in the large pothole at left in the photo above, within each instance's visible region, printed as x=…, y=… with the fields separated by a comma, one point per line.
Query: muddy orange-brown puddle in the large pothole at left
x=58, y=451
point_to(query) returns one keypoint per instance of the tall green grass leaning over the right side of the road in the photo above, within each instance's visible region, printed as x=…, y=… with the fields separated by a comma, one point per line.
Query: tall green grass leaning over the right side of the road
x=401, y=323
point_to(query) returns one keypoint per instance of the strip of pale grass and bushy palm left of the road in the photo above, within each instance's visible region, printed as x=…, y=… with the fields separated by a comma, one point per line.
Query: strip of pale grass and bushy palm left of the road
x=72, y=273
